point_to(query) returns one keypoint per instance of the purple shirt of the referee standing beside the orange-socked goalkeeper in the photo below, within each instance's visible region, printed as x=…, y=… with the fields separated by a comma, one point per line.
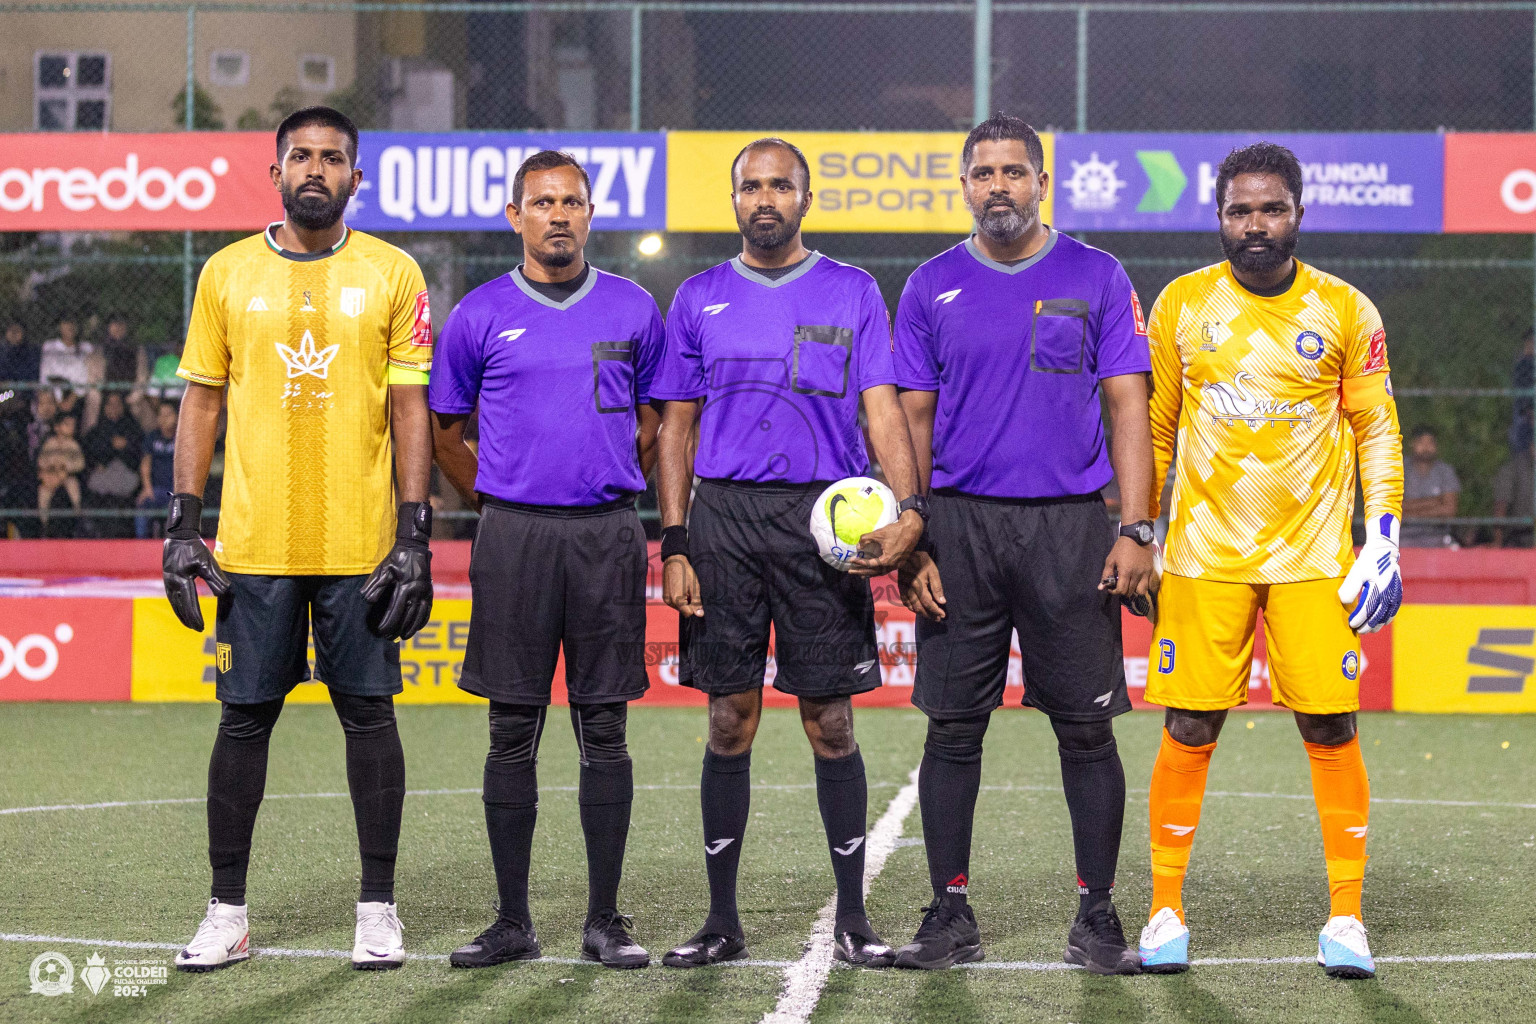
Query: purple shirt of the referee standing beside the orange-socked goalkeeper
x=1016, y=354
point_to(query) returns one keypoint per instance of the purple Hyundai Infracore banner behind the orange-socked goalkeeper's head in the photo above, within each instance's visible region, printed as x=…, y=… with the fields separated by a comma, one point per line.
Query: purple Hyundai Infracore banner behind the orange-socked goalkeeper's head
x=1167, y=182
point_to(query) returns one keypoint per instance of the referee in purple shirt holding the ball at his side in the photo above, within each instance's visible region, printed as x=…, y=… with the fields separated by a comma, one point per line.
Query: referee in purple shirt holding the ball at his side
x=780, y=348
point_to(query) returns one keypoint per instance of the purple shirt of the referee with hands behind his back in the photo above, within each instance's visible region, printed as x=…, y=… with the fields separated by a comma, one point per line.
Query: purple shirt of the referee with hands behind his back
x=558, y=383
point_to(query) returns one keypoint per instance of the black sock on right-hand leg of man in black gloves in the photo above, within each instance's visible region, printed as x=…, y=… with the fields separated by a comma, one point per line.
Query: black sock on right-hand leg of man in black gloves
x=377, y=781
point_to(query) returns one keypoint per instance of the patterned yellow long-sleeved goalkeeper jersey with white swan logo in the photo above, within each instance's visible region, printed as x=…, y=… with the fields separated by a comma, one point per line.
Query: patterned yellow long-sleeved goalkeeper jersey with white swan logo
x=1266, y=401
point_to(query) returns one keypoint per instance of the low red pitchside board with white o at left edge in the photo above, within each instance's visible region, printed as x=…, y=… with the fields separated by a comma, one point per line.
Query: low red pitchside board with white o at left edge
x=65, y=649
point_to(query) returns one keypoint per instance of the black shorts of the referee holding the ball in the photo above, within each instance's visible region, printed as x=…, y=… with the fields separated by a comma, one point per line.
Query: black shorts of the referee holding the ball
x=752, y=547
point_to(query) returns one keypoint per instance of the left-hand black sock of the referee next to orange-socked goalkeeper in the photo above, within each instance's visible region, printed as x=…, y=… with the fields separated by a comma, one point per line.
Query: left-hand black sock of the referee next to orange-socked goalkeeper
x=948, y=784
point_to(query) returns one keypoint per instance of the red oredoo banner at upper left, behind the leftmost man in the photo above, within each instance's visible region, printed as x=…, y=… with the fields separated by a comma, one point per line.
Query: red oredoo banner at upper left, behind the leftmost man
x=127, y=182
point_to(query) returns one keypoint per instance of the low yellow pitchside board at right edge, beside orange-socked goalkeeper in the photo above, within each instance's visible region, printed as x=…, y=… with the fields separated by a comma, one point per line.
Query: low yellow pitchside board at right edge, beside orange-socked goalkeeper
x=1465, y=658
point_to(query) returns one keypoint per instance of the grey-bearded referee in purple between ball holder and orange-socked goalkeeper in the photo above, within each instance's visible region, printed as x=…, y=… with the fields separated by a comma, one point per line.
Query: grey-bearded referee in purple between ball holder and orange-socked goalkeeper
x=1005, y=346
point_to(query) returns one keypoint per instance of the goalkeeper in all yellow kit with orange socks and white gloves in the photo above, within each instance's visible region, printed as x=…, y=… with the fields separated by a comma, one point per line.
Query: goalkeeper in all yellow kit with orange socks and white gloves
x=1268, y=377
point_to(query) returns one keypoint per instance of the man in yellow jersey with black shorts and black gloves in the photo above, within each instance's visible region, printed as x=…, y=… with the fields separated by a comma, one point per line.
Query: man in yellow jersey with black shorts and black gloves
x=322, y=339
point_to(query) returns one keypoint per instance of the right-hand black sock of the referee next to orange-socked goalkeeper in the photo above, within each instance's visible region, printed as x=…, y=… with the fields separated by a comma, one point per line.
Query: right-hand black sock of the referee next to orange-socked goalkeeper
x=1094, y=784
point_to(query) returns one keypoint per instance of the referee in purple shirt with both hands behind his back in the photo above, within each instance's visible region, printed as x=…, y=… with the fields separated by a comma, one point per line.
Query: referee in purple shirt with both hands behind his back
x=558, y=357
